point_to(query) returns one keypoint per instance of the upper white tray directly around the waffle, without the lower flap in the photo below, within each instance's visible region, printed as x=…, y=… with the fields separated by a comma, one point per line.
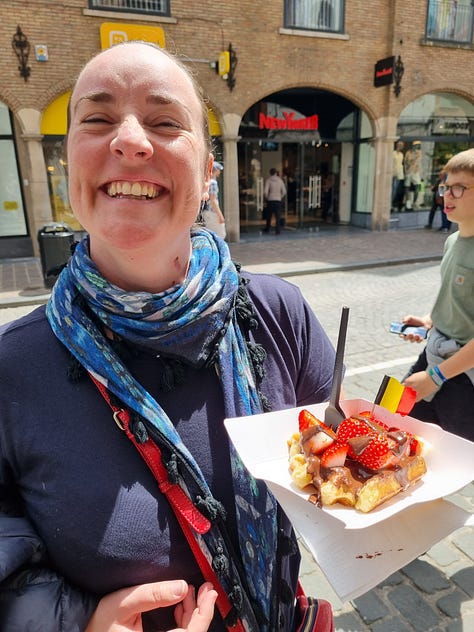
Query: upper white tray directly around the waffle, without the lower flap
x=261, y=441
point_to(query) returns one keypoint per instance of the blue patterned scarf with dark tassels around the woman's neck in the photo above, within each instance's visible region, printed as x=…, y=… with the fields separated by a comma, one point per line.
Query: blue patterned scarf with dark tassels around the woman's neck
x=194, y=321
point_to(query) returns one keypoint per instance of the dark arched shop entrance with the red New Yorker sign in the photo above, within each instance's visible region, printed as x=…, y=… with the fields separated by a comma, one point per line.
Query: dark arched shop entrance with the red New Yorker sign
x=309, y=137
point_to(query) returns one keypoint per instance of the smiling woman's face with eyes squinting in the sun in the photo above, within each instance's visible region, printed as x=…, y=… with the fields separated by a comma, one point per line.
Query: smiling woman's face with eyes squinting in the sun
x=137, y=157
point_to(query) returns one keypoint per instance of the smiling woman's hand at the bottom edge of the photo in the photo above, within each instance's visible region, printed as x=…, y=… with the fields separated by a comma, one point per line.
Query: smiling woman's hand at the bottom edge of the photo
x=121, y=610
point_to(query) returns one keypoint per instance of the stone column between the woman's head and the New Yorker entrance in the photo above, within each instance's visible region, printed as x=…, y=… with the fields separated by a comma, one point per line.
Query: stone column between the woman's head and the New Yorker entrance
x=231, y=207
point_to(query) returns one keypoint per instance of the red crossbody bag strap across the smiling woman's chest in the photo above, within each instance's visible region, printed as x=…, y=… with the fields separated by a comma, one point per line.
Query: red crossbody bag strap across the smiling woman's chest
x=188, y=516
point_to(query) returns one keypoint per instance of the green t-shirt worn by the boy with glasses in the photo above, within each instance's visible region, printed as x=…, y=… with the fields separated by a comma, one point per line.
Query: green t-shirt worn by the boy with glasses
x=453, y=311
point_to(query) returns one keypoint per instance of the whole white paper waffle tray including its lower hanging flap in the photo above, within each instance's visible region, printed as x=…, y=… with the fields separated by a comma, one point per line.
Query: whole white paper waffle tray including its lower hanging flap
x=358, y=551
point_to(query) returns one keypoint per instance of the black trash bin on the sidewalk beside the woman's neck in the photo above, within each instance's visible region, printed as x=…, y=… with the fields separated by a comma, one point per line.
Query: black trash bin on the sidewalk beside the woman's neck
x=55, y=244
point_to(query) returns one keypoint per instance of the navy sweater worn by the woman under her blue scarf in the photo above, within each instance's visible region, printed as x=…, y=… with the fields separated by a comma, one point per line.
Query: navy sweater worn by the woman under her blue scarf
x=85, y=490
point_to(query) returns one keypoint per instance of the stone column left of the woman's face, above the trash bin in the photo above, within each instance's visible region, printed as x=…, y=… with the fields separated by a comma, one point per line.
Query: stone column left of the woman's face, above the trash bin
x=38, y=206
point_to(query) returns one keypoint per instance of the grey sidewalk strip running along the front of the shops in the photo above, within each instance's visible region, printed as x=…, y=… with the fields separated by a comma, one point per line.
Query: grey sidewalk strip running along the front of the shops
x=290, y=253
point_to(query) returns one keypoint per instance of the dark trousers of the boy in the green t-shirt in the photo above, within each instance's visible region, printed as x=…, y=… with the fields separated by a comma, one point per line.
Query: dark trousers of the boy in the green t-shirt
x=452, y=407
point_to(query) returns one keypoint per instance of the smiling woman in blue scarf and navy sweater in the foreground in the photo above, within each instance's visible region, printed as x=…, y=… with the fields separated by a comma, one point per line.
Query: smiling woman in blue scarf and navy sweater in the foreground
x=152, y=315
